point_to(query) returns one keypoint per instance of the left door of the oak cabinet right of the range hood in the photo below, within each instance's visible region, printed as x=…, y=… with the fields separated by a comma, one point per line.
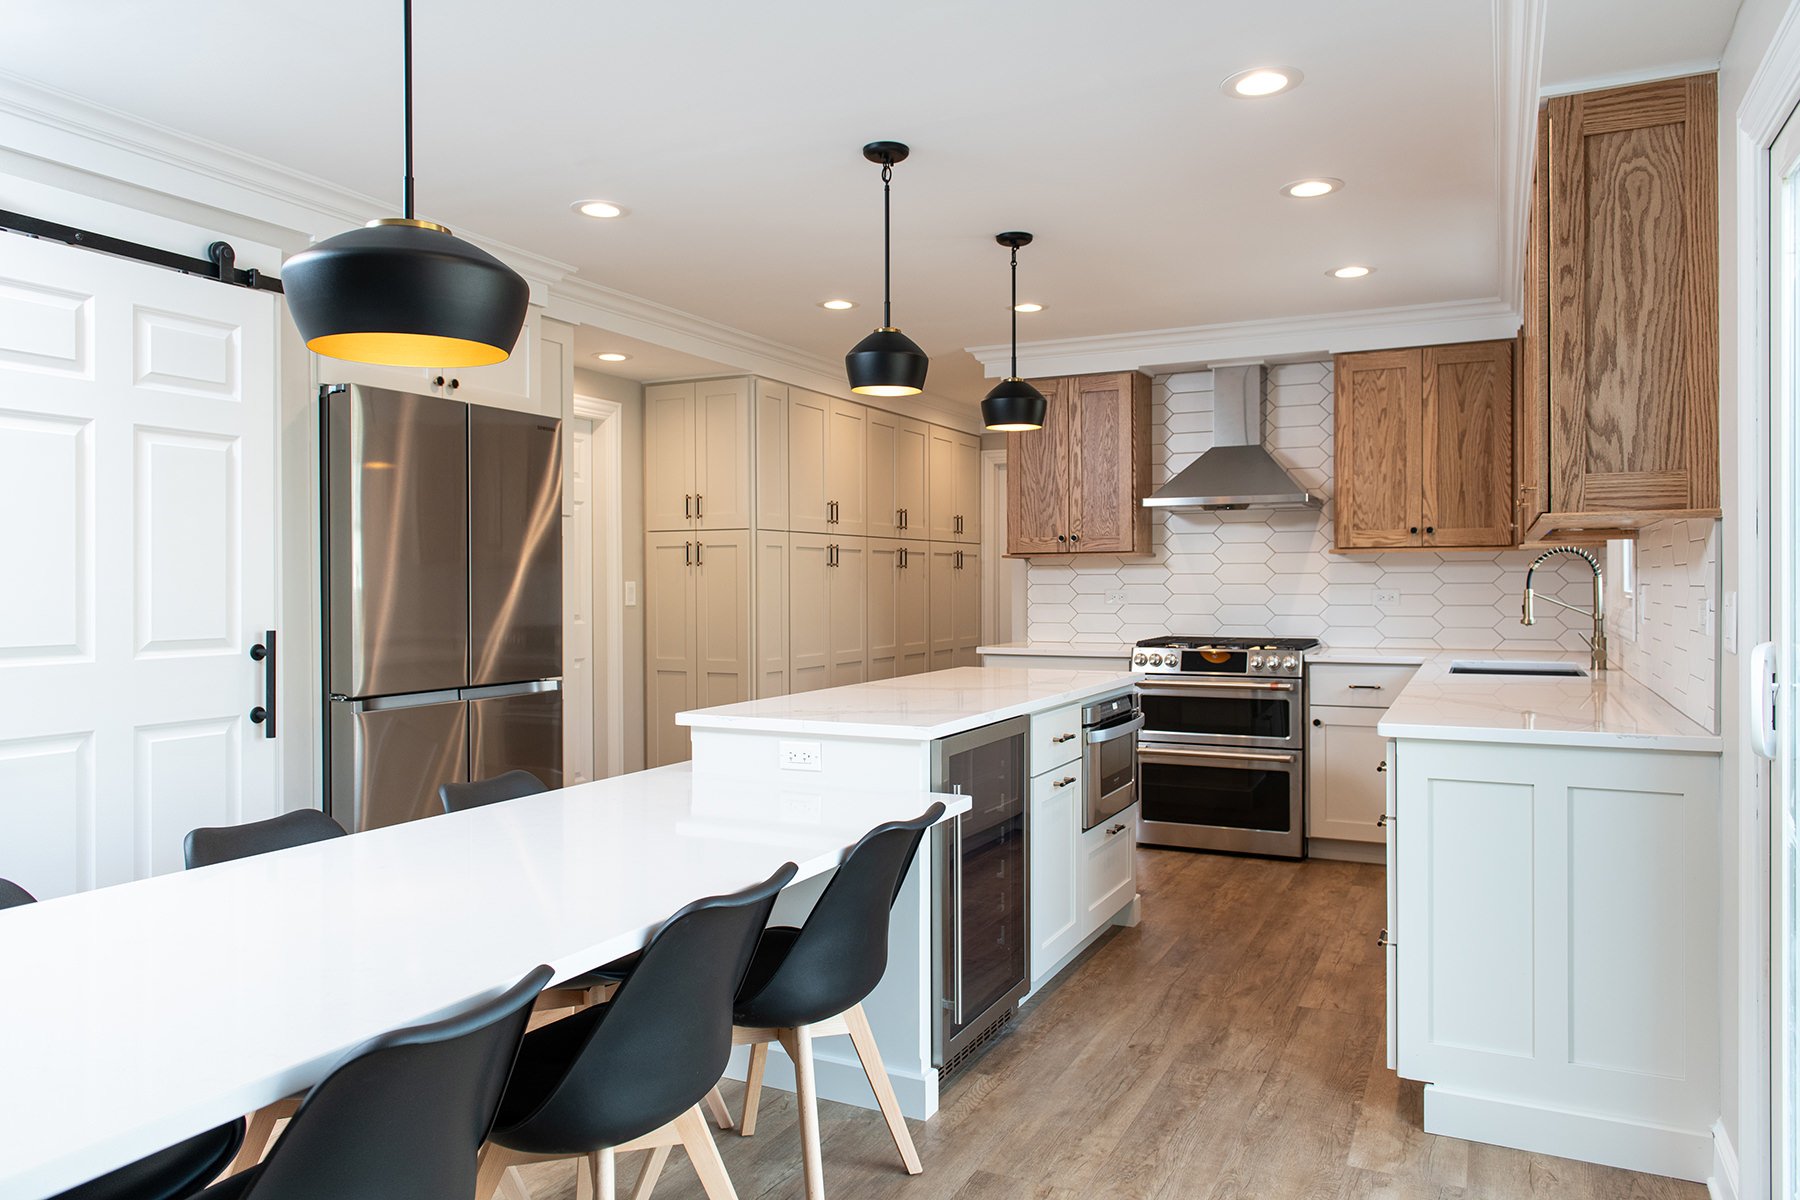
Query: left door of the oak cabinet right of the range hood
x=1380, y=443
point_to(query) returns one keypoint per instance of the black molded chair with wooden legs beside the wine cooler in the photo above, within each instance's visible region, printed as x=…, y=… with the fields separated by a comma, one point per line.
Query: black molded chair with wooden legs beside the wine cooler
x=811, y=981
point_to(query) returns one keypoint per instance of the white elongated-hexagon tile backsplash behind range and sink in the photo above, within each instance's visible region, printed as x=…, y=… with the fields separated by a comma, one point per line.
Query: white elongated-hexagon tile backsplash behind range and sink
x=1268, y=571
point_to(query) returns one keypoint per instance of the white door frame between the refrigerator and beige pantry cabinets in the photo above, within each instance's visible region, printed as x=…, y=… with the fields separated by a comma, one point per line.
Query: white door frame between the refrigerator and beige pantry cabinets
x=609, y=582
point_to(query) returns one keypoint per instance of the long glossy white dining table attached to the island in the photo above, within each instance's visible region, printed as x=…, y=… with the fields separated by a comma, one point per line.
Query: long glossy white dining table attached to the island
x=136, y=1016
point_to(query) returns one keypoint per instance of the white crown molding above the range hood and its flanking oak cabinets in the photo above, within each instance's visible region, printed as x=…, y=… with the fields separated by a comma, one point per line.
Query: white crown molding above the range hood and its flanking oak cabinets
x=1299, y=337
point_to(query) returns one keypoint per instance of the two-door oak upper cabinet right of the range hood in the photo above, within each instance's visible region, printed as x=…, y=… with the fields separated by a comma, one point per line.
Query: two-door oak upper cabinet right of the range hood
x=1425, y=449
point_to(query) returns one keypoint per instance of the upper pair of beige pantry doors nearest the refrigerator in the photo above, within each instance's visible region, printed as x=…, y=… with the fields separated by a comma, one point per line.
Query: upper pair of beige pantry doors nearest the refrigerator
x=697, y=454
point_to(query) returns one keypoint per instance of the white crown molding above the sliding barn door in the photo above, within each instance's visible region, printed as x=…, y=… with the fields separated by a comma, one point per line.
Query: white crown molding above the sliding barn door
x=75, y=132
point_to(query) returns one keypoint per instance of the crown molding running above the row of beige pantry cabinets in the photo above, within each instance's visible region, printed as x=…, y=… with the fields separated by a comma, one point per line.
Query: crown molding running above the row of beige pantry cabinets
x=582, y=301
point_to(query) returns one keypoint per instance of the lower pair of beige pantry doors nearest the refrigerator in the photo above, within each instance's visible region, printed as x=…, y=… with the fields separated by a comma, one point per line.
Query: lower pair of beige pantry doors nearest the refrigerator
x=697, y=631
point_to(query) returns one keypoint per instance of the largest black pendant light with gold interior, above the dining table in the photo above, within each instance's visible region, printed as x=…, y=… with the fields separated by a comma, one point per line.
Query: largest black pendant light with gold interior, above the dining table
x=404, y=292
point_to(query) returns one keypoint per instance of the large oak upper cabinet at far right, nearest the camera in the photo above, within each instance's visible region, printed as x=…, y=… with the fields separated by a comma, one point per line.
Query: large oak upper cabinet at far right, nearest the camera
x=1630, y=256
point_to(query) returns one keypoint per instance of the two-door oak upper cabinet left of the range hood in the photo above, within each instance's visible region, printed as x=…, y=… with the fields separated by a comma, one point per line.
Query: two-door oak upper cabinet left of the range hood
x=1077, y=485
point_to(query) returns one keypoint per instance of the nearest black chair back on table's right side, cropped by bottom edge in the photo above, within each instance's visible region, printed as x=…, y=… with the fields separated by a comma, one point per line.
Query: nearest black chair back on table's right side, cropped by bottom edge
x=402, y=1116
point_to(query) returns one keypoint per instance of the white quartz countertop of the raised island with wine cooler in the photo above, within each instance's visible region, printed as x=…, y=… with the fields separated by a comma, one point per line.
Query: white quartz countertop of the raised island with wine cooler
x=917, y=708
